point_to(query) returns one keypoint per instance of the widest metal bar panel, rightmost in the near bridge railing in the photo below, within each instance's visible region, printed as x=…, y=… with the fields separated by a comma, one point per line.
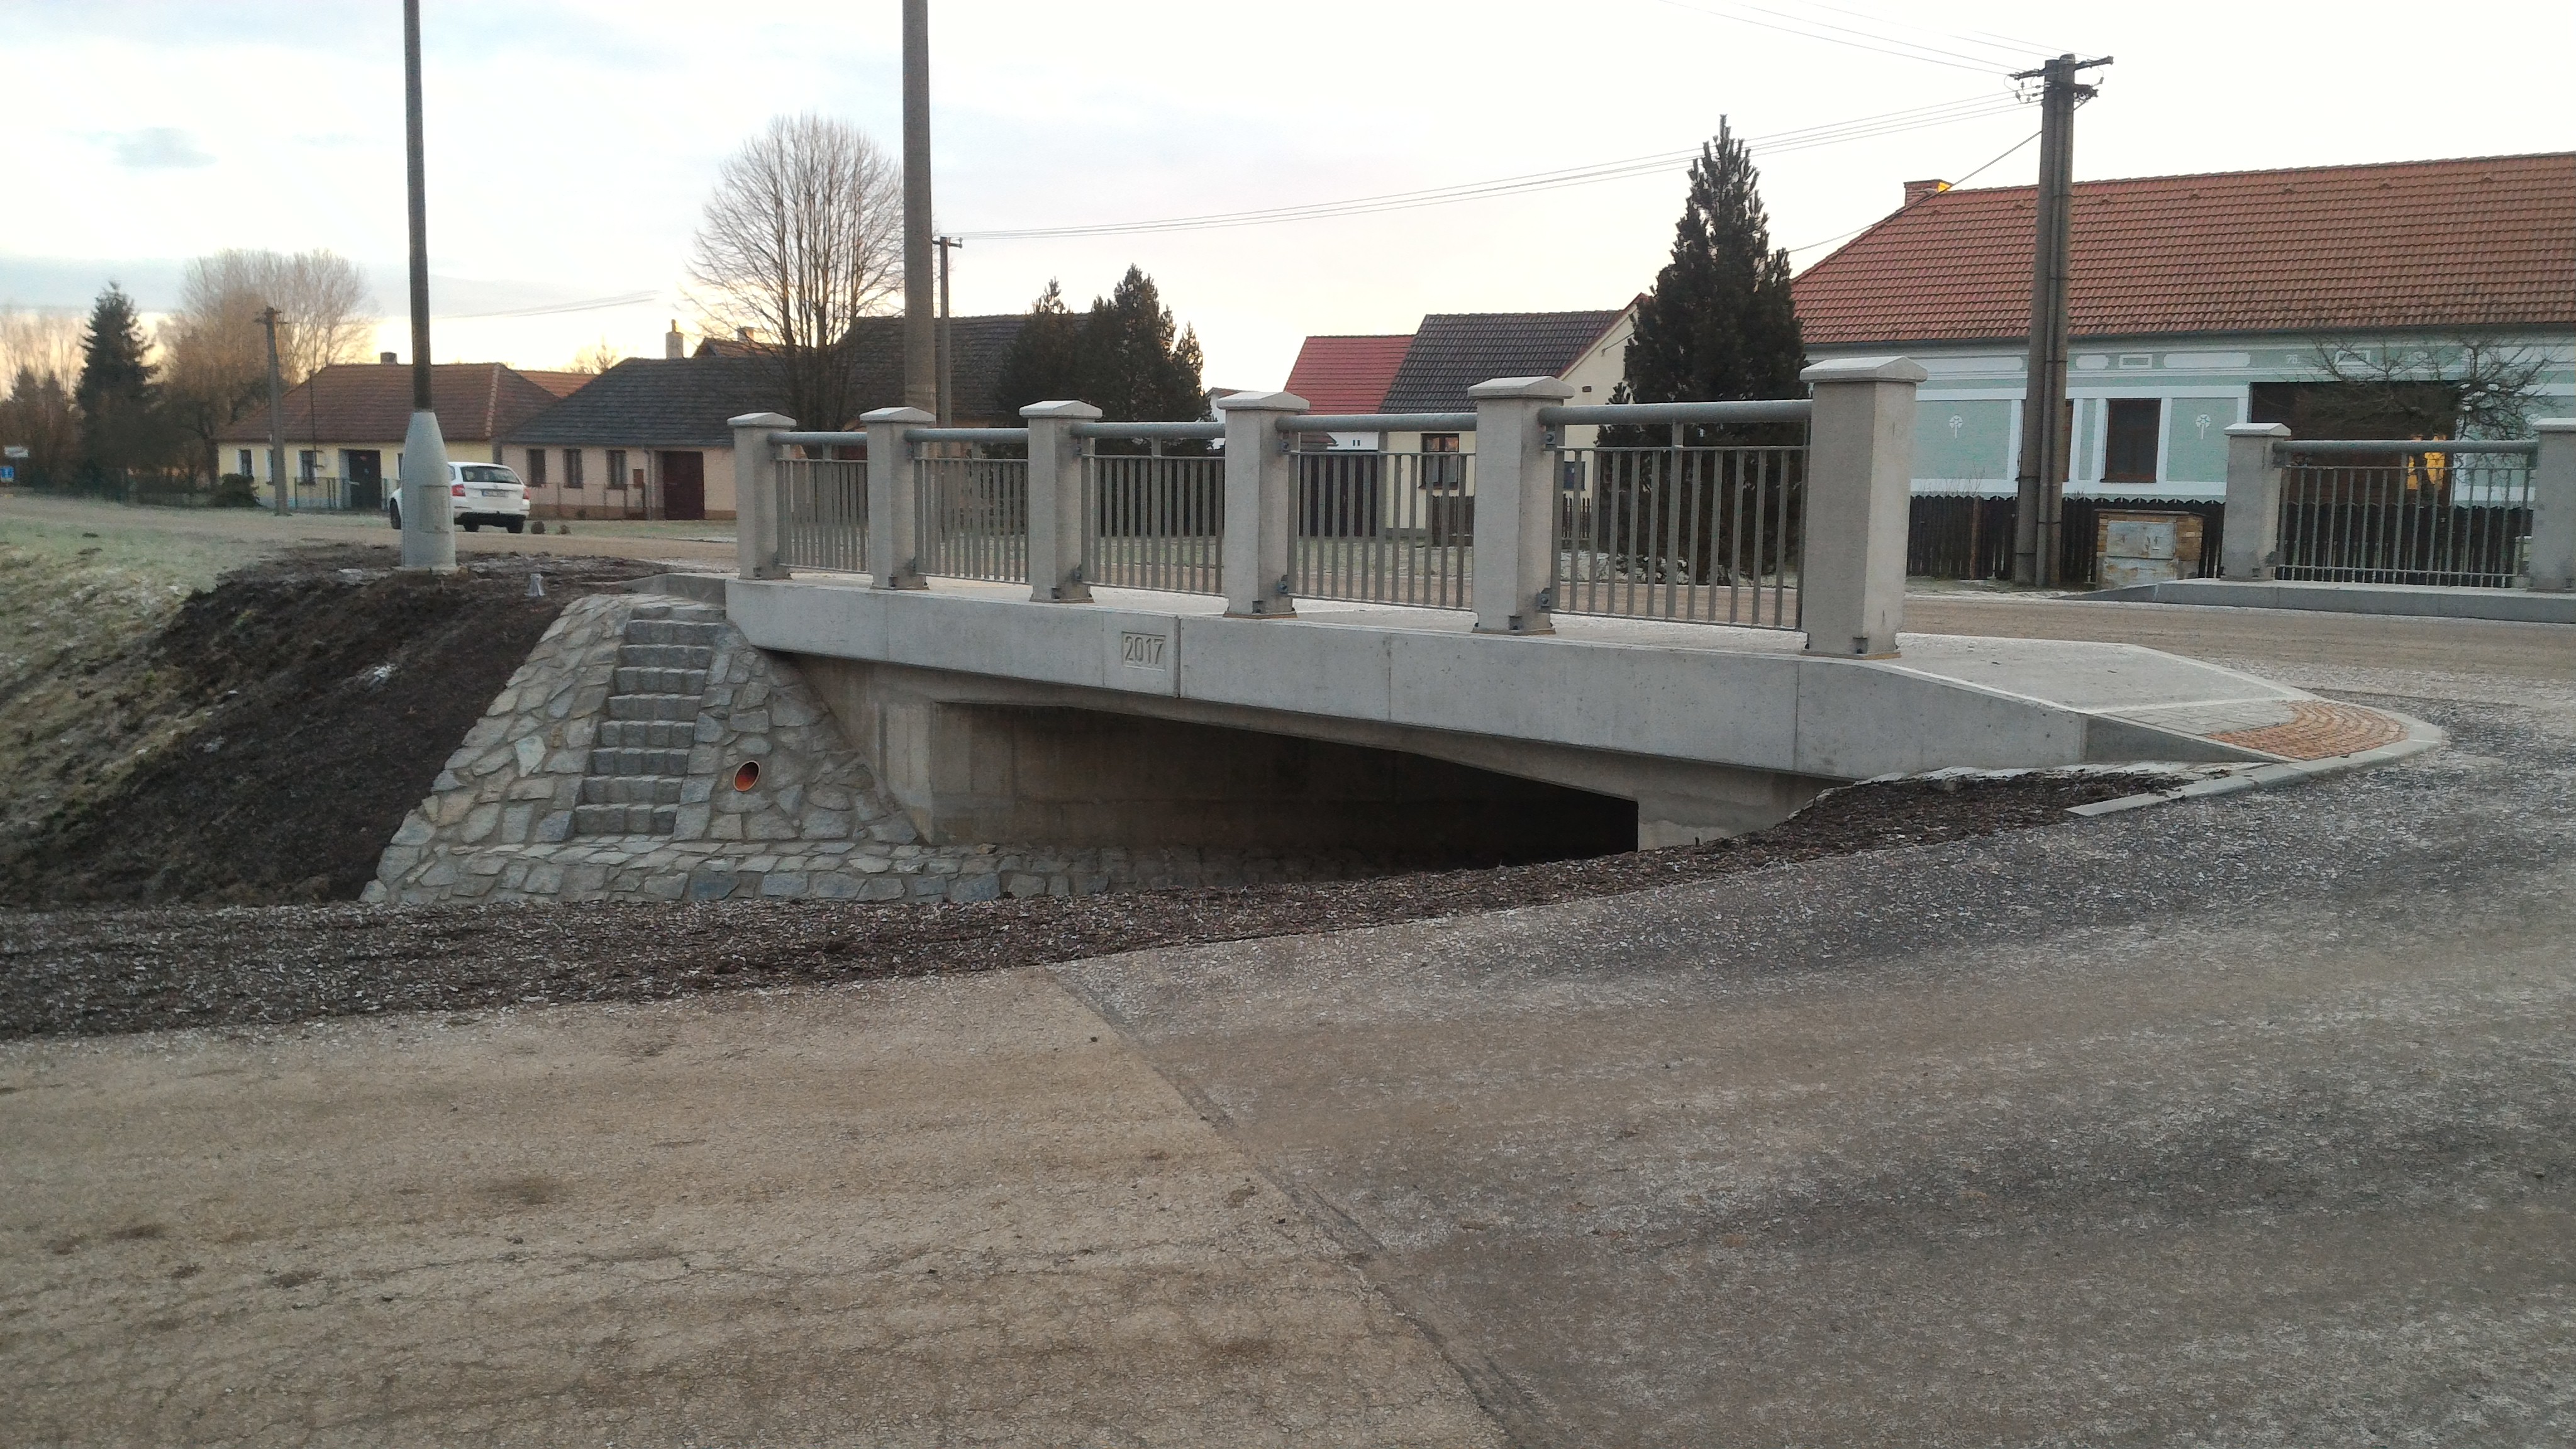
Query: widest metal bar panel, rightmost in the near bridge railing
x=1704, y=535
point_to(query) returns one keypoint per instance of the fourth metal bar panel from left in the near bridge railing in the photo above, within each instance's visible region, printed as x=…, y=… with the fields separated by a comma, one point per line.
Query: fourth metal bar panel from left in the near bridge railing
x=1387, y=527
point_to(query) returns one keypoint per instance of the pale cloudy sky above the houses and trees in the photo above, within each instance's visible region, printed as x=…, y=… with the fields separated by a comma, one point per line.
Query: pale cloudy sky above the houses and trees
x=573, y=141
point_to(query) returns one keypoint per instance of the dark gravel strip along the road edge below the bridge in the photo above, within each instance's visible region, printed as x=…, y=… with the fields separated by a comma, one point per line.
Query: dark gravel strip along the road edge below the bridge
x=143, y=971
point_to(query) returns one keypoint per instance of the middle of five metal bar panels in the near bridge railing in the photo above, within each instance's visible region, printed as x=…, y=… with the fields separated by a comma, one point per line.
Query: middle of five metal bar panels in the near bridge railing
x=1153, y=520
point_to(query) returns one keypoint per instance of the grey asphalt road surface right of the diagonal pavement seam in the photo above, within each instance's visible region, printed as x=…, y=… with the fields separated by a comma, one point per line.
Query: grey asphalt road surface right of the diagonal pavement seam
x=2230, y=1123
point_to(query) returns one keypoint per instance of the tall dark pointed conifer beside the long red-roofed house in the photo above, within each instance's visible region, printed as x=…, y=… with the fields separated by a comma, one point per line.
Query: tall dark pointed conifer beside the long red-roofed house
x=1719, y=321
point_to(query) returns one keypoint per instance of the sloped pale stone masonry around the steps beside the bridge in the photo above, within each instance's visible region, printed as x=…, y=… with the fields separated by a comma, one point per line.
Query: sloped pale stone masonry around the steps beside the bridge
x=506, y=816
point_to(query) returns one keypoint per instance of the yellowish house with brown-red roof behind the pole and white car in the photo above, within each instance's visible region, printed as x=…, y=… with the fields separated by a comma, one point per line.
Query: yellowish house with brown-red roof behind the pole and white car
x=346, y=424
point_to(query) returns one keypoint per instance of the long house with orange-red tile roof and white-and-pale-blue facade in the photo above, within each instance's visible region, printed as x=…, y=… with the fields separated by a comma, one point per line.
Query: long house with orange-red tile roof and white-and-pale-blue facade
x=2199, y=303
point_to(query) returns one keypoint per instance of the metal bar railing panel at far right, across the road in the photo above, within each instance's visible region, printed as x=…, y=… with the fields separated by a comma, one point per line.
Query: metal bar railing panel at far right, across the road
x=2405, y=512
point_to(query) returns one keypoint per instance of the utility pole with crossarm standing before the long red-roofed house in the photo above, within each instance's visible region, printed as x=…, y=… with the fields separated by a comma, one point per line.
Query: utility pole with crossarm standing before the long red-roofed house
x=2041, y=478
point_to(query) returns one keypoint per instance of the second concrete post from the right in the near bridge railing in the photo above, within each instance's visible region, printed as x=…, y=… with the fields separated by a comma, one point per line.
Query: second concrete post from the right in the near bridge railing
x=1516, y=504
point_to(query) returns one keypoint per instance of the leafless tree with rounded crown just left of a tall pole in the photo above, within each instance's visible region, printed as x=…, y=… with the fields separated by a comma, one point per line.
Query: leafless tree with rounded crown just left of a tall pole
x=800, y=241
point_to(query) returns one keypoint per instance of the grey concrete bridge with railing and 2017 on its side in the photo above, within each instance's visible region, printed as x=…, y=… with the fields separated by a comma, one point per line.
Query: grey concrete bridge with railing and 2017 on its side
x=1333, y=672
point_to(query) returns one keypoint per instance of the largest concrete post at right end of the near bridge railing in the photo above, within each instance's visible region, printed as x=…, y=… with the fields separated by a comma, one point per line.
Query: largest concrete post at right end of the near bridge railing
x=1859, y=499
